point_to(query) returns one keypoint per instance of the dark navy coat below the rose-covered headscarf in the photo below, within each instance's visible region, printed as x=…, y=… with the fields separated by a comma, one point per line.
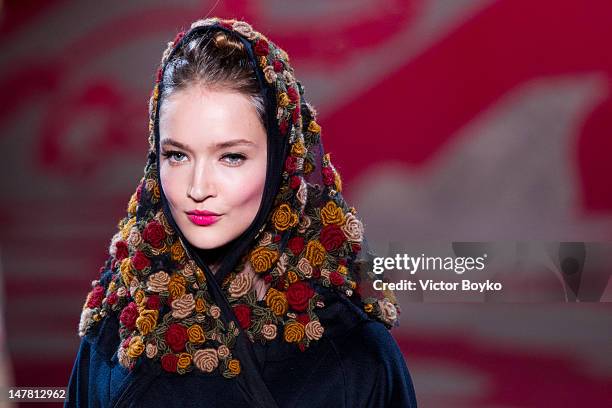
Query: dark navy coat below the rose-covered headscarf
x=357, y=363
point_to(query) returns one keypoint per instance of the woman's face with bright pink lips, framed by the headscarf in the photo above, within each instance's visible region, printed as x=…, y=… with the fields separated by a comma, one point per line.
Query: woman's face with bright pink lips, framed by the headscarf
x=212, y=163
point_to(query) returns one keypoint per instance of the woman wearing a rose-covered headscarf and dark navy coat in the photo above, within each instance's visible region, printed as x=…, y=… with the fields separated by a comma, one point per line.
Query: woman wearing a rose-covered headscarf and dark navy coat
x=235, y=278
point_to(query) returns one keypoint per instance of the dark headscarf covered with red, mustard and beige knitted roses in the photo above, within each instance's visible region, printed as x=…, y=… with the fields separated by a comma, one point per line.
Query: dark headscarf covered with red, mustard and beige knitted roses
x=305, y=241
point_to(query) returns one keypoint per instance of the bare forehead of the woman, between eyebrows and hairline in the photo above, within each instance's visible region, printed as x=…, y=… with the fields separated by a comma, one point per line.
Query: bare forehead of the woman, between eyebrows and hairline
x=198, y=115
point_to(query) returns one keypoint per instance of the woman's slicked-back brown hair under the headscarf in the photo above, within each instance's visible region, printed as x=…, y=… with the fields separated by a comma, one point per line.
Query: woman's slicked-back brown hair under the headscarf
x=217, y=60
